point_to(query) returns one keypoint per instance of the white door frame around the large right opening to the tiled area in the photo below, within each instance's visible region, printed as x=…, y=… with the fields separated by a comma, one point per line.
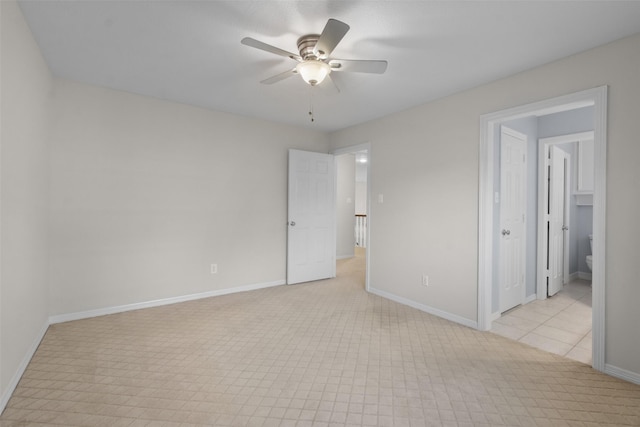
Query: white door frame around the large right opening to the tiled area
x=597, y=98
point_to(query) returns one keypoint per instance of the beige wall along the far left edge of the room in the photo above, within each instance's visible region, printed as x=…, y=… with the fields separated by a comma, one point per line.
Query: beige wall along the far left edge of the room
x=24, y=170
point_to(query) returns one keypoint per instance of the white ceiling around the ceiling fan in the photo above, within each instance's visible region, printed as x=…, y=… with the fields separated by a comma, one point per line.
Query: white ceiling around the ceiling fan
x=190, y=51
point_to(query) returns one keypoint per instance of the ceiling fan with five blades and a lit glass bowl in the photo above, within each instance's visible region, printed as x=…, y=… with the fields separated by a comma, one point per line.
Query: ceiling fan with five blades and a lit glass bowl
x=314, y=61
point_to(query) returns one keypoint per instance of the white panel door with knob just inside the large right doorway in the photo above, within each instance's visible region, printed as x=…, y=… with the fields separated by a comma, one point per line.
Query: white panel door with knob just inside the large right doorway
x=512, y=218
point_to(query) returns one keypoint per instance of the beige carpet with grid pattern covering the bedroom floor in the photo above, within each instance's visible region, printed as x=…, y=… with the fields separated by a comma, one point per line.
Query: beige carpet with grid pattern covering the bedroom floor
x=317, y=354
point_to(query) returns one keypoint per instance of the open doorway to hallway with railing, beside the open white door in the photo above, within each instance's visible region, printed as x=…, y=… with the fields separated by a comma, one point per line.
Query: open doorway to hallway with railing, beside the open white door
x=357, y=215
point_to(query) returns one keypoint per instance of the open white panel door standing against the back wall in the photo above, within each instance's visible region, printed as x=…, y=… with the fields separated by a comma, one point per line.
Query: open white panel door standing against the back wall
x=311, y=237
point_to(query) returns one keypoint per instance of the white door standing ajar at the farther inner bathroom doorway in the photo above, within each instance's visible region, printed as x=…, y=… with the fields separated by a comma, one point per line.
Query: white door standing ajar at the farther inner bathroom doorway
x=557, y=224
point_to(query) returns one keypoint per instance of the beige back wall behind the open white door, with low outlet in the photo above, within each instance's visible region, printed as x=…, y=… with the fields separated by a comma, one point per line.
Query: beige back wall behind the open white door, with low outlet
x=147, y=194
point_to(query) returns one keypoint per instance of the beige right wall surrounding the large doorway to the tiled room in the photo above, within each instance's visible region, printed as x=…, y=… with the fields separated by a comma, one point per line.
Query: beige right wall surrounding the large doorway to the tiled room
x=425, y=162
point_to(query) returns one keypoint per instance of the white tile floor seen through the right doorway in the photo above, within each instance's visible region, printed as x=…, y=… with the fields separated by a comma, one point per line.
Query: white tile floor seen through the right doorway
x=560, y=324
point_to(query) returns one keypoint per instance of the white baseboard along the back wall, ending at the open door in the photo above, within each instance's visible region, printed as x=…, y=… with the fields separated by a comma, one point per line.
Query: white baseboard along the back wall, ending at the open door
x=60, y=318
